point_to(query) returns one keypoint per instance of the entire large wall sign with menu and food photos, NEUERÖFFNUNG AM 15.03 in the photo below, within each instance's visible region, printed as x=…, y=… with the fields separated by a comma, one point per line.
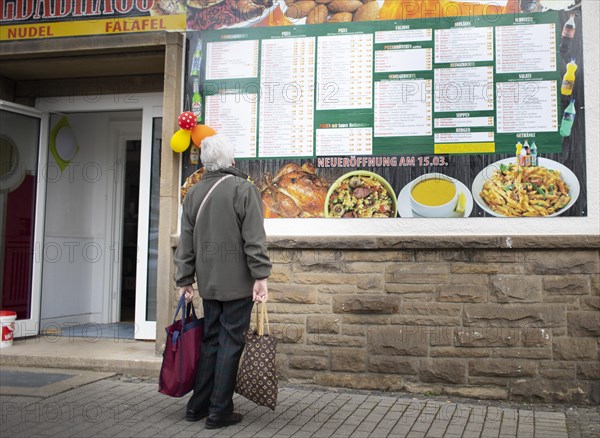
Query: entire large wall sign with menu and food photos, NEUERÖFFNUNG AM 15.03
x=427, y=116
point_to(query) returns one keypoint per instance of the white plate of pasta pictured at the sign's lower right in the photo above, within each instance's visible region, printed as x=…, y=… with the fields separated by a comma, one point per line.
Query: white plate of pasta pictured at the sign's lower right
x=506, y=189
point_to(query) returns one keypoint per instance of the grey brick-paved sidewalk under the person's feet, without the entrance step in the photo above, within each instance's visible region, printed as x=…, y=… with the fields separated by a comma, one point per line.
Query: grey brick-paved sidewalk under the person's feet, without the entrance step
x=118, y=406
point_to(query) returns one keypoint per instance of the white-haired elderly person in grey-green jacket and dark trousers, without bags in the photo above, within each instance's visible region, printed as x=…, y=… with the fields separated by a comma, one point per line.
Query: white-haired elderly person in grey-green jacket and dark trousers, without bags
x=222, y=245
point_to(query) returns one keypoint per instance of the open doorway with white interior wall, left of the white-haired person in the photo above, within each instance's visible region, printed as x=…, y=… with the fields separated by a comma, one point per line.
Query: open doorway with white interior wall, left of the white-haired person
x=92, y=215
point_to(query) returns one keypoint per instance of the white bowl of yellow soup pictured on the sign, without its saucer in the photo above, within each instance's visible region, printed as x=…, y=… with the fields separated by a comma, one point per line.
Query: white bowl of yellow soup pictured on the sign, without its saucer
x=433, y=195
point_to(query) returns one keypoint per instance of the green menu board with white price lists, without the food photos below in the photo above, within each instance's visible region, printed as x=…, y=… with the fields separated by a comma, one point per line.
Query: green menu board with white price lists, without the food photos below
x=418, y=87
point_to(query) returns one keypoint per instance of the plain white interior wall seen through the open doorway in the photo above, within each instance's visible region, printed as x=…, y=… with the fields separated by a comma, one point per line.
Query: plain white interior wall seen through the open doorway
x=79, y=217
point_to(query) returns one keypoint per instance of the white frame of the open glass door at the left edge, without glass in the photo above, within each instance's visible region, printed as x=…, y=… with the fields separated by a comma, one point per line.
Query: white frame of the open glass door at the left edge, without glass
x=31, y=326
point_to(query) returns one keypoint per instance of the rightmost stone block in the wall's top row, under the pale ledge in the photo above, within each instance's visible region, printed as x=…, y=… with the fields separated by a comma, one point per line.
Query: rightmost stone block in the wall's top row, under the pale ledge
x=563, y=262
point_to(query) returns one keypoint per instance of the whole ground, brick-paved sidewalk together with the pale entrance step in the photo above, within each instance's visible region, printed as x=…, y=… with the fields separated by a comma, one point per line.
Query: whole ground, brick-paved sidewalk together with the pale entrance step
x=67, y=398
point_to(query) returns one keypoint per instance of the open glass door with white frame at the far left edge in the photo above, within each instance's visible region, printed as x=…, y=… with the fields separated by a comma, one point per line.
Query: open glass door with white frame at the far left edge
x=23, y=159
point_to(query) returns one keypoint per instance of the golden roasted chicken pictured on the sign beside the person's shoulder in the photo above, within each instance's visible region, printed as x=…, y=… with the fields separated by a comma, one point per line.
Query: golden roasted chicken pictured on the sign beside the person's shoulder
x=295, y=191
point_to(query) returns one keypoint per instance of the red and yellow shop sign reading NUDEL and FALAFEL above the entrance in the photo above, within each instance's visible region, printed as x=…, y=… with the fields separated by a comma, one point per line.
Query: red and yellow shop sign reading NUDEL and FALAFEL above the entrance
x=30, y=19
